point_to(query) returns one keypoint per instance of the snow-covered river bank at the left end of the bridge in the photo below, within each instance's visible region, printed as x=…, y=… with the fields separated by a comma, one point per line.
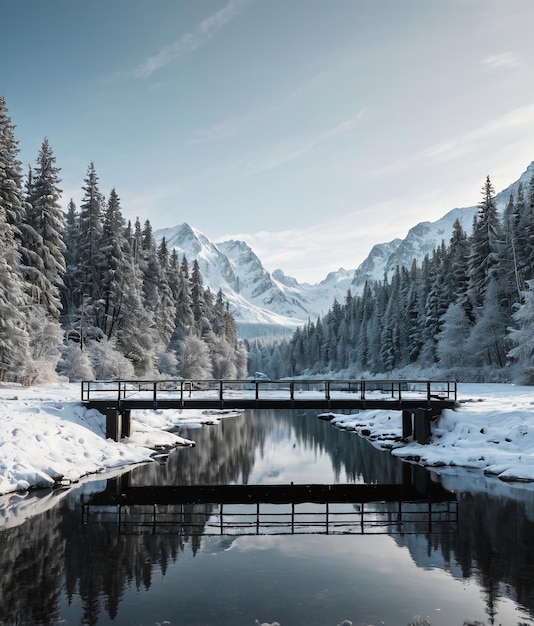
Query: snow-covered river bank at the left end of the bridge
x=47, y=437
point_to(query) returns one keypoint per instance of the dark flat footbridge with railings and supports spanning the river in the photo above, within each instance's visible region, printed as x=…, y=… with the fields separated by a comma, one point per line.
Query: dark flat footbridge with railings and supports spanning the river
x=420, y=401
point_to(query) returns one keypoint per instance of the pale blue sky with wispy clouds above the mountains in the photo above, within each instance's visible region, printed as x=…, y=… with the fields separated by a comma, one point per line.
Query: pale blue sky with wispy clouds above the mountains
x=312, y=129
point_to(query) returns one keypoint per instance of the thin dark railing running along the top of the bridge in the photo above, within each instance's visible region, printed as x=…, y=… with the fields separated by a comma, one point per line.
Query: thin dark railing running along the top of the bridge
x=118, y=390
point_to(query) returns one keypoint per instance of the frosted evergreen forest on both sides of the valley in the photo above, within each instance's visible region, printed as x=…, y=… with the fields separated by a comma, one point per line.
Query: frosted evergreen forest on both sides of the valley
x=85, y=294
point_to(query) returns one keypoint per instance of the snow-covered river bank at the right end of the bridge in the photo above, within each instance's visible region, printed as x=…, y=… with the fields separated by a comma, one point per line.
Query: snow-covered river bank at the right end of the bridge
x=492, y=430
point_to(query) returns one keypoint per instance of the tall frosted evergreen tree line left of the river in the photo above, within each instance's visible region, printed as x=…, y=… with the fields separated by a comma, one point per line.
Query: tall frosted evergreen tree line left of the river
x=88, y=295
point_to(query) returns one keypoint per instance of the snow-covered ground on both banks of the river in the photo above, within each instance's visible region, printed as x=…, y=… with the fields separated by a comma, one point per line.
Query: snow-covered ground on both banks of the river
x=47, y=436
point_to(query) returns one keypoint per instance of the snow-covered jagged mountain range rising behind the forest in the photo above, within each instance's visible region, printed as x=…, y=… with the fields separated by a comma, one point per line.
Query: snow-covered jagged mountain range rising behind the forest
x=273, y=305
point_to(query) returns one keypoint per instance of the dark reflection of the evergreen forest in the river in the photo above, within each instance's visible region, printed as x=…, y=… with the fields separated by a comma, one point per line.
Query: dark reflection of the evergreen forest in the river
x=55, y=559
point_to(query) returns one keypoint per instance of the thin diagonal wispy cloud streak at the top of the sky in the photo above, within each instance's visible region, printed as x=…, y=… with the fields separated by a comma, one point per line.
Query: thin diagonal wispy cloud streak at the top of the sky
x=191, y=41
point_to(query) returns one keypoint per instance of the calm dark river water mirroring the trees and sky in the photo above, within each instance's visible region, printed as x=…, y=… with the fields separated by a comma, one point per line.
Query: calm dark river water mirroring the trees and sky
x=74, y=564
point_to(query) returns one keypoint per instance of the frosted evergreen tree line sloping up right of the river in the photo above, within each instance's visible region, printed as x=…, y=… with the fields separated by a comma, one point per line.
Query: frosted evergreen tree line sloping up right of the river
x=466, y=311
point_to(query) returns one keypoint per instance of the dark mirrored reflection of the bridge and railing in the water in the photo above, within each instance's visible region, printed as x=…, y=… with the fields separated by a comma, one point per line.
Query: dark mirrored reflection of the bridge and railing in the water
x=207, y=510
